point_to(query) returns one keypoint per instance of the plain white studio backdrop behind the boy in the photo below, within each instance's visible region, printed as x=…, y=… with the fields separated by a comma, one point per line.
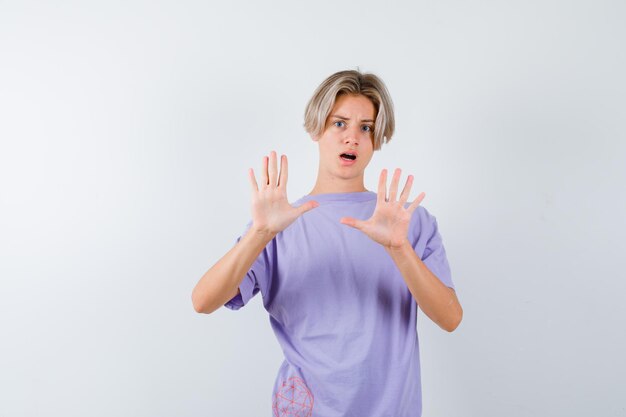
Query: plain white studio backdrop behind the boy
x=127, y=129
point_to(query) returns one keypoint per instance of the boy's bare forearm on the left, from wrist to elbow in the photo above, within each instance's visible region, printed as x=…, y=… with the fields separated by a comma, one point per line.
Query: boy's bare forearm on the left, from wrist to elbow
x=220, y=283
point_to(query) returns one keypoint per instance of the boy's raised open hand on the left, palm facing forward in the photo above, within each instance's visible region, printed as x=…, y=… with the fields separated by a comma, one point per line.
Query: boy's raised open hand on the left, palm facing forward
x=271, y=212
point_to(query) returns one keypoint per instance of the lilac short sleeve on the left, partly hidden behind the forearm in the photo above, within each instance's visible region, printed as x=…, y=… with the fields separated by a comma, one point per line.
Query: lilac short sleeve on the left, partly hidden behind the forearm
x=257, y=278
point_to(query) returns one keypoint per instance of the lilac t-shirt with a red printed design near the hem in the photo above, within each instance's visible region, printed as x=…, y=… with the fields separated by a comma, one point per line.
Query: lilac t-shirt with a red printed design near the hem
x=342, y=312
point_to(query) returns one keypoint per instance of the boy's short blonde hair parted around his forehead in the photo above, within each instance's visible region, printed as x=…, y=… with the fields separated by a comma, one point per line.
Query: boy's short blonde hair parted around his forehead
x=351, y=82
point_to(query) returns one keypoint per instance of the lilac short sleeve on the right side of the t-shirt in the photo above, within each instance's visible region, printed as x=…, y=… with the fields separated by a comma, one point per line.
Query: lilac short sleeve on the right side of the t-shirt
x=428, y=244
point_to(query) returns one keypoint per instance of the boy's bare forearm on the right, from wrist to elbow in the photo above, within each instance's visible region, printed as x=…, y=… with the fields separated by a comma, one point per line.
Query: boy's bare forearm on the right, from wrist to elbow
x=436, y=300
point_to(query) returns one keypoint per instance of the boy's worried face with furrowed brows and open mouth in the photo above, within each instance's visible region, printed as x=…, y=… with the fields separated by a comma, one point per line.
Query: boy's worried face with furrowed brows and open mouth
x=349, y=128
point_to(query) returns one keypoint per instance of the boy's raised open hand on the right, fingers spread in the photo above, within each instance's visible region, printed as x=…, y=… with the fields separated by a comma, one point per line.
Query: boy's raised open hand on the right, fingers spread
x=389, y=224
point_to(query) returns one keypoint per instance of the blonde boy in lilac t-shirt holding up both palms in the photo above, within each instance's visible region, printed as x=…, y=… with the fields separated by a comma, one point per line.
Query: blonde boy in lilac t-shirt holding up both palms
x=343, y=269
